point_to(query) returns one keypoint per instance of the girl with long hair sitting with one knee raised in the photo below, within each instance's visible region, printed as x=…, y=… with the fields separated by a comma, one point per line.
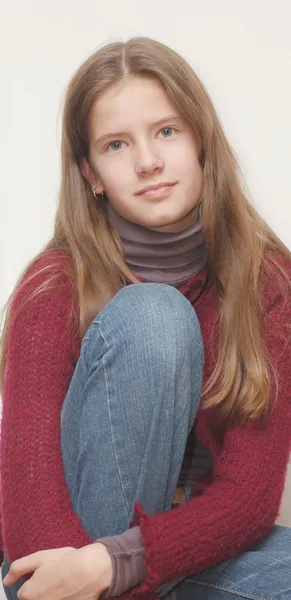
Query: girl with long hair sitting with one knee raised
x=146, y=424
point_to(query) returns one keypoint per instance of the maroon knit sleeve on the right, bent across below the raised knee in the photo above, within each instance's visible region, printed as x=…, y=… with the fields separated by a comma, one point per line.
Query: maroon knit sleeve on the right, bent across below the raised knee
x=240, y=506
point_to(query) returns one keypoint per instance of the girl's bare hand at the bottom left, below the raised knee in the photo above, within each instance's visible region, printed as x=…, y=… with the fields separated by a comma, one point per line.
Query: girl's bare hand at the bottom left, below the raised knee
x=63, y=573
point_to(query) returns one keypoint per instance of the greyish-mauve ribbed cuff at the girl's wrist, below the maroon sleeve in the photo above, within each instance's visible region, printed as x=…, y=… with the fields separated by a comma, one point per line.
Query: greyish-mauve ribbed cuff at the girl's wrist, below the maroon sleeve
x=128, y=561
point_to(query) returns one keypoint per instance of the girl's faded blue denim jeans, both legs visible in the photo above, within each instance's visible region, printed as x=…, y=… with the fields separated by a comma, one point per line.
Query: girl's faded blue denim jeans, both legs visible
x=131, y=402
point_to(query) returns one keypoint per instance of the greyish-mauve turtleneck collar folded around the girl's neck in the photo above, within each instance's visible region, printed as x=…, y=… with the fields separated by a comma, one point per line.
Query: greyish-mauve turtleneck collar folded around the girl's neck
x=161, y=257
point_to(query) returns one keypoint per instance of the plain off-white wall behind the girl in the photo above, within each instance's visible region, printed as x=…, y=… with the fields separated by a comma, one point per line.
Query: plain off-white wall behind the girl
x=241, y=49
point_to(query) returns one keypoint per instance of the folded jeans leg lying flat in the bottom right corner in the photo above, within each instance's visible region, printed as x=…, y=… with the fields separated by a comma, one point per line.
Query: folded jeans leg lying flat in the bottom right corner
x=263, y=573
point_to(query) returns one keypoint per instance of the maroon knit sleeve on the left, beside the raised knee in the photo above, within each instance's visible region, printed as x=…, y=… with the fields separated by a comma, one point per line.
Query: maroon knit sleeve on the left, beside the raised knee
x=42, y=351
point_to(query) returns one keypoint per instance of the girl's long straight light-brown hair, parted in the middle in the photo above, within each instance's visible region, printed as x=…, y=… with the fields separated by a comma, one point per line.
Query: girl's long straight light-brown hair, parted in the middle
x=240, y=244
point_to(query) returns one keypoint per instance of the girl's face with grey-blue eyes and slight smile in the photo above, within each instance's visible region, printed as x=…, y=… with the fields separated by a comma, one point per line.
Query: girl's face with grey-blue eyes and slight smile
x=139, y=140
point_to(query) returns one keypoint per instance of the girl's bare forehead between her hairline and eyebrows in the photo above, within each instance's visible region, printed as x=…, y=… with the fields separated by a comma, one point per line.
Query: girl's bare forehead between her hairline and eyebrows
x=130, y=102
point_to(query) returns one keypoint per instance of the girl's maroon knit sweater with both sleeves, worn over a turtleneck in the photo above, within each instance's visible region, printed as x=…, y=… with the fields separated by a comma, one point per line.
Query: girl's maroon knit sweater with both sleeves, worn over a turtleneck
x=229, y=512
